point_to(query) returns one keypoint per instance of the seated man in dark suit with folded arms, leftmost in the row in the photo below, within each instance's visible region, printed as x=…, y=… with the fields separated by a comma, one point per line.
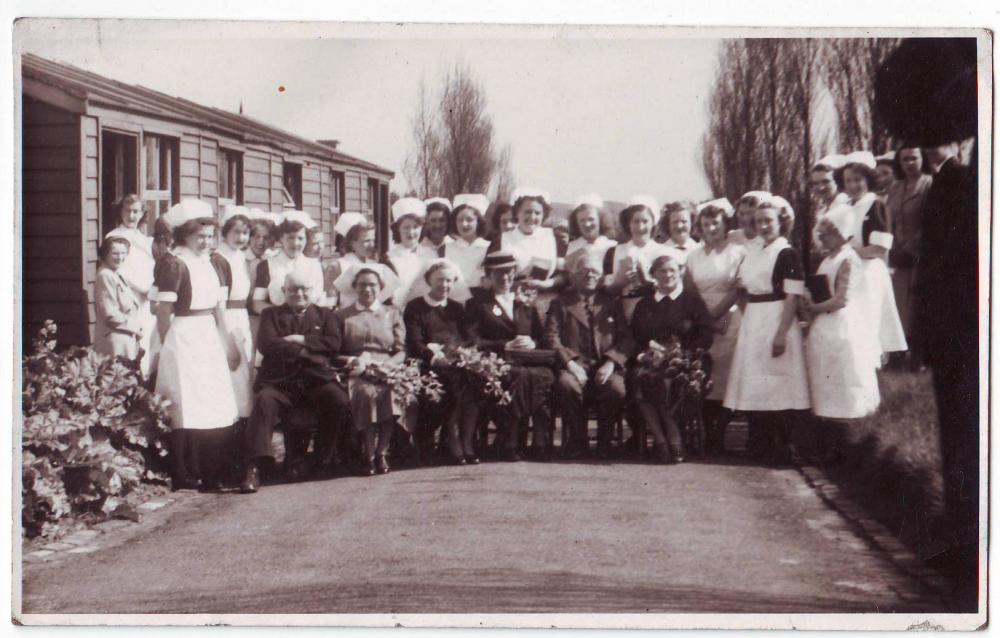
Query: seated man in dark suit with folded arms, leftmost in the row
x=297, y=340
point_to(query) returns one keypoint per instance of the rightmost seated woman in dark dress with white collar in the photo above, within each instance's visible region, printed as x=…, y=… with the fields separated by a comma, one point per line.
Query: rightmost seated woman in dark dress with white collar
x=670, y=312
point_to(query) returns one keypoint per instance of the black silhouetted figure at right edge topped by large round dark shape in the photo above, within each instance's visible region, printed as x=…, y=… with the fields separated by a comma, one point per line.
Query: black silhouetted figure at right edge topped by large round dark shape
x=927, y=93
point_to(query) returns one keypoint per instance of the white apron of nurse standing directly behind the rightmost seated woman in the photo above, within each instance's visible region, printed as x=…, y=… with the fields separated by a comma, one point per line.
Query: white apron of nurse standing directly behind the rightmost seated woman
x=714, y=276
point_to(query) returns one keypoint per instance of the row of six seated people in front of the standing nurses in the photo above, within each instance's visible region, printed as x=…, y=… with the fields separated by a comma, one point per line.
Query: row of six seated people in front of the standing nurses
x=578, y=359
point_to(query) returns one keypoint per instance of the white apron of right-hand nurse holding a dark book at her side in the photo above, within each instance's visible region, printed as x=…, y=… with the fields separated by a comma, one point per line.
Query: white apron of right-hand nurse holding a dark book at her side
x=841, y=352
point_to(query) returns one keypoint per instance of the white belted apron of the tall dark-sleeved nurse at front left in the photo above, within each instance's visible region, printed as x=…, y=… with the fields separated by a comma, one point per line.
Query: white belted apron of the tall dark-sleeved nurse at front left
x=193, y=373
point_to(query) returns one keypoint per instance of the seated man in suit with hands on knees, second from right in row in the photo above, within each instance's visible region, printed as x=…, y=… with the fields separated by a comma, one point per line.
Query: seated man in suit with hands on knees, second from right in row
x=580, y=327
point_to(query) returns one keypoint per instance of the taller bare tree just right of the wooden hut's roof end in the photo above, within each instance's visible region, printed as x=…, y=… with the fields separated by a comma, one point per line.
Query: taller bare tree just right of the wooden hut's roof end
x=467, y=159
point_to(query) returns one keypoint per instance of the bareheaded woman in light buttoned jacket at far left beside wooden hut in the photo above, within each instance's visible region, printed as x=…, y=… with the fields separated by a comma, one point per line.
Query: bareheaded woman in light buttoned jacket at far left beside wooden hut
x=118, y=330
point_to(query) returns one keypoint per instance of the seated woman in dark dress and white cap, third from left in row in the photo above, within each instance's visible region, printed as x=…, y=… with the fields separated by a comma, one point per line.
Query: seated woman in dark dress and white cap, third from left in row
x=434, y=324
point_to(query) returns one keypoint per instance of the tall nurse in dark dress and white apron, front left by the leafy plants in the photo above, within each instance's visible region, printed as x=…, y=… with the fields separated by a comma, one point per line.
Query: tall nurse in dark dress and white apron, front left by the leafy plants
x=198, y=352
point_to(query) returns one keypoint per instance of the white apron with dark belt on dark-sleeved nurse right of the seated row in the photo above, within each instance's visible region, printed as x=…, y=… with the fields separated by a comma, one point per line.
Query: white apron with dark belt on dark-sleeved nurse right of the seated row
x=758, y=381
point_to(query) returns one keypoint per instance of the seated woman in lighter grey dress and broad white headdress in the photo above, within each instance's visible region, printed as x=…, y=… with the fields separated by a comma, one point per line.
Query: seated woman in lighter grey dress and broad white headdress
x=371, y=333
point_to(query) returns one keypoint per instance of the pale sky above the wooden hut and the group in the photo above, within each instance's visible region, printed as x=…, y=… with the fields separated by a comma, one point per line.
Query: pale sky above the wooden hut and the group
x=585, y=109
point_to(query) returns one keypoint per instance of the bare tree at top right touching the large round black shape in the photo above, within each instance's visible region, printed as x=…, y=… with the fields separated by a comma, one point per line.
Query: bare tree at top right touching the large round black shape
x=849, y=67
